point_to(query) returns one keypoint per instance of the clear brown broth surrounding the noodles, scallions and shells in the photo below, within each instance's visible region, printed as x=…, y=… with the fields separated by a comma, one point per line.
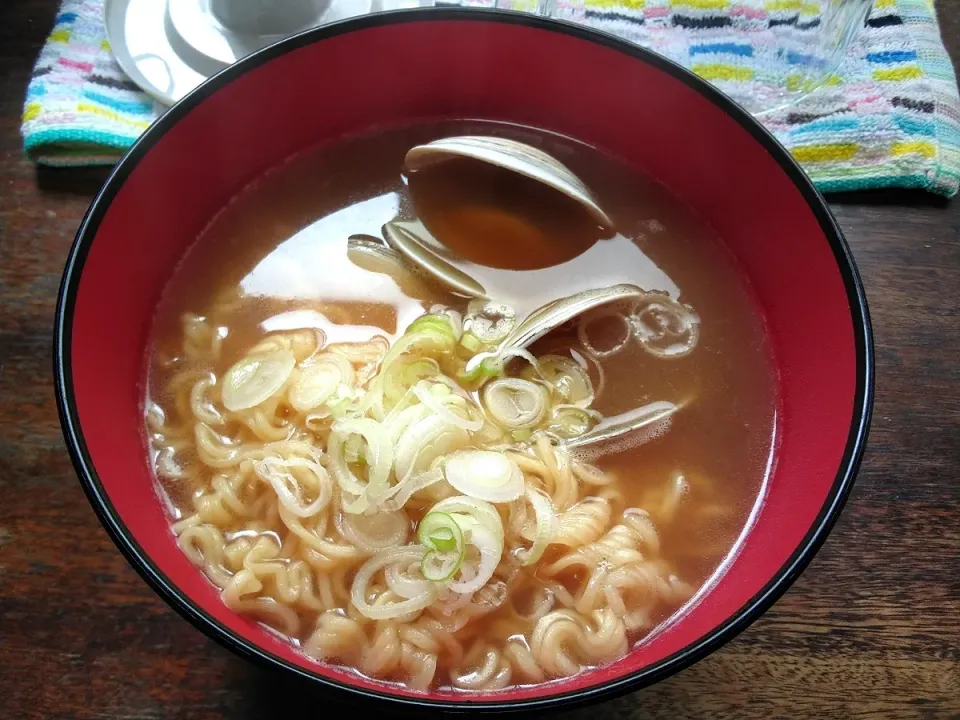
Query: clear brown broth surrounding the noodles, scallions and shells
x=275, y=260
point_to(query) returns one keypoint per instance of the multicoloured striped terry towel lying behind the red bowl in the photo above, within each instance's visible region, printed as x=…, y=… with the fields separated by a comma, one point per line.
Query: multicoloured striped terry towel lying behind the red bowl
x=891, y=118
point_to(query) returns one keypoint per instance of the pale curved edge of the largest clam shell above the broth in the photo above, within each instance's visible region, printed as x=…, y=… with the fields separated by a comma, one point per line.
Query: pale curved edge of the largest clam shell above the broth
x=510, y=155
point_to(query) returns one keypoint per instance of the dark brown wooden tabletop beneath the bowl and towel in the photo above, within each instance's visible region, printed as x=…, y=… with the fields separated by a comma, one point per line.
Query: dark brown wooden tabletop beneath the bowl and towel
x=869, y=630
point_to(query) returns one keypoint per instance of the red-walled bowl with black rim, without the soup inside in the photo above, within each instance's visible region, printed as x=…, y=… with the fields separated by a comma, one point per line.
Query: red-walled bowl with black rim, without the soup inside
x=398, y=67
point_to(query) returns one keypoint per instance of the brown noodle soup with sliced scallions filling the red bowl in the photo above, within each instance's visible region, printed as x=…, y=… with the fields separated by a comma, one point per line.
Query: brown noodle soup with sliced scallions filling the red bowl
x=337, y=470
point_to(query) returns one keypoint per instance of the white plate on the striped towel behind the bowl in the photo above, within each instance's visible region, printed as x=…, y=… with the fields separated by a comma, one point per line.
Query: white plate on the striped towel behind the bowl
x=169, y=47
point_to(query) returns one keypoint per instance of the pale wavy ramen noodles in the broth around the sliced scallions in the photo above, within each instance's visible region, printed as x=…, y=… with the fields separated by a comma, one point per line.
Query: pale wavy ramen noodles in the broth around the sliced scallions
x=282, y=559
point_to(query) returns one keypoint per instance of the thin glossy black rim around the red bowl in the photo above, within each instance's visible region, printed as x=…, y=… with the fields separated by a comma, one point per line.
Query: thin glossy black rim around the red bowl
x=788, y=573
